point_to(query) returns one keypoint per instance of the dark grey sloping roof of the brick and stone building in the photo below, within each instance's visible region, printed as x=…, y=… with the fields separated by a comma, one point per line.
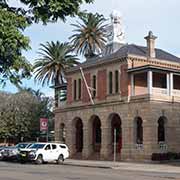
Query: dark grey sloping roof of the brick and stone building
x=124, y=51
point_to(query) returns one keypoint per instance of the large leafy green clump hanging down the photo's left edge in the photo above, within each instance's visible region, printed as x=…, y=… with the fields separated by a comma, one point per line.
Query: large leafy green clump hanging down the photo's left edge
x=13, y=65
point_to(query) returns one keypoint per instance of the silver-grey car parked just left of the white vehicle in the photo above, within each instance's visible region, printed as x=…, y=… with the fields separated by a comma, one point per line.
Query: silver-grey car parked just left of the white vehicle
x=11, y=152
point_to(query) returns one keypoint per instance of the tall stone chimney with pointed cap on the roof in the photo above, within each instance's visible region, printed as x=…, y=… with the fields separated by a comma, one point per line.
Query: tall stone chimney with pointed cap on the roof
x=151, y=53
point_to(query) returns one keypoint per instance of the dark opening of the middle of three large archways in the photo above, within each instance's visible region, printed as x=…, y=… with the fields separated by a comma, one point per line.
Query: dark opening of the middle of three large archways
x=96, y=134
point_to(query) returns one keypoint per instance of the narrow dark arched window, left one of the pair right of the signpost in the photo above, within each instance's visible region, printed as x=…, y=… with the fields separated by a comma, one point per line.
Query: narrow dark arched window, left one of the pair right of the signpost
x=138, y=130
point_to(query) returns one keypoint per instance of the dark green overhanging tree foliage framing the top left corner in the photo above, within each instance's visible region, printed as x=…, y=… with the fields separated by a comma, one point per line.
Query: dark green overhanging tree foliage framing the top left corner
x=13, y=20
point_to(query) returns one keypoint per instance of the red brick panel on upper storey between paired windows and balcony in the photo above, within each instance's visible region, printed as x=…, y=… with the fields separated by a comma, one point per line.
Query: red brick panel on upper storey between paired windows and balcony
x=124, y=80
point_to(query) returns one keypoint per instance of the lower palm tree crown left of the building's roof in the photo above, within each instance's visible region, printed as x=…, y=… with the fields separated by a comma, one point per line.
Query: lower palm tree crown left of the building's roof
x=51, y=66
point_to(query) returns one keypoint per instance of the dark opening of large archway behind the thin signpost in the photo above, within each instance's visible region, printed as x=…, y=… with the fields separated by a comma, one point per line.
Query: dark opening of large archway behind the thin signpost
x=116, y=132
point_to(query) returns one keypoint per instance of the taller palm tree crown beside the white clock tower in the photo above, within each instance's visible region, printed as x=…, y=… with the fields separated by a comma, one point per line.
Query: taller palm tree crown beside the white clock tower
x=90, y=35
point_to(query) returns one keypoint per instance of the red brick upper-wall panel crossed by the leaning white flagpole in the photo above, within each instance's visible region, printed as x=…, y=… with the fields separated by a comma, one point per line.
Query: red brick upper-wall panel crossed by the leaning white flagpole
x=85, y=96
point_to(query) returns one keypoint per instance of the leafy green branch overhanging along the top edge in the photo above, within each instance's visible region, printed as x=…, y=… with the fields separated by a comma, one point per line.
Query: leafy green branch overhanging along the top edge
x=46, y=10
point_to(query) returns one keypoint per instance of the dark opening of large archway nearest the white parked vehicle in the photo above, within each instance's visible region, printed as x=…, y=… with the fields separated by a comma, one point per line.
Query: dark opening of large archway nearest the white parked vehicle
x=79, y=135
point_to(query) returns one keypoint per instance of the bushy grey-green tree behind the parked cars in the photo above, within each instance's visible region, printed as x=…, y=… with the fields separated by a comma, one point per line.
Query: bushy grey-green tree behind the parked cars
x=20, y=114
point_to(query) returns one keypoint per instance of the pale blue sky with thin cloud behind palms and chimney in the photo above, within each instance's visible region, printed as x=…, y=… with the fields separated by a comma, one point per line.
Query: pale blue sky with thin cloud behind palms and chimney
x=139, y=16
